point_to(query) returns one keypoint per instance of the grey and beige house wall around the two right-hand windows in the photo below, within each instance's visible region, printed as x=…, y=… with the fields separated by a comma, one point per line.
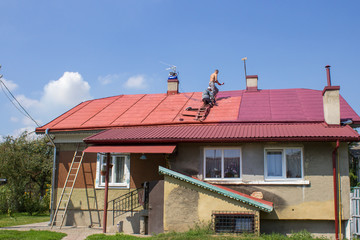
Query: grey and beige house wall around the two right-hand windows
x=312, y=200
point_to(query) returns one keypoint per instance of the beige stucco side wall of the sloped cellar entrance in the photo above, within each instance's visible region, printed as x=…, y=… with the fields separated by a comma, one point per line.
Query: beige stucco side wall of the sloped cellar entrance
x=186, y=205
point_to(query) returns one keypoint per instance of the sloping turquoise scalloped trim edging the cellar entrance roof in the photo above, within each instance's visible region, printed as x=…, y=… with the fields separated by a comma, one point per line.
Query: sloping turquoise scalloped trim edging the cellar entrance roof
x=212, y=188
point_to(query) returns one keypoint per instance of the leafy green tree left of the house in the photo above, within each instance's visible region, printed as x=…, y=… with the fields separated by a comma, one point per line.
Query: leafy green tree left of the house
x=26, y=164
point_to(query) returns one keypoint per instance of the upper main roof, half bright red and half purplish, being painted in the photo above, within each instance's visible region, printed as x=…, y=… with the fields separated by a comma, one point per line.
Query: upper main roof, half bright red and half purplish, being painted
x=284, y=105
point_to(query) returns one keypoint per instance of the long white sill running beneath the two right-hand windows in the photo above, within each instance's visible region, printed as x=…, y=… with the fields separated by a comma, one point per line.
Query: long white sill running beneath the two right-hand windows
x=266, y=182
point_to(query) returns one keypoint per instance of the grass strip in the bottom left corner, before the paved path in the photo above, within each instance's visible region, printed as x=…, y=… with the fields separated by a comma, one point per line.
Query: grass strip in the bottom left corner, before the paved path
x=30, y=235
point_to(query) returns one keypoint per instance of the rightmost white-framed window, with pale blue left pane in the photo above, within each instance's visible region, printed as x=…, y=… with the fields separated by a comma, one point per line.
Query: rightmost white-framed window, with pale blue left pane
x=283, y=163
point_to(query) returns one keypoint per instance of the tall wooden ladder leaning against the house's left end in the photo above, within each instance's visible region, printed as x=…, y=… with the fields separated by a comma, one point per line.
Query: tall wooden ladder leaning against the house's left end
x=68, y=188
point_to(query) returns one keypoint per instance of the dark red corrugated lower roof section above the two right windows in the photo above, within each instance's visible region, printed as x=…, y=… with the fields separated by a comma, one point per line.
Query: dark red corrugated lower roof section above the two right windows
x=226, y=132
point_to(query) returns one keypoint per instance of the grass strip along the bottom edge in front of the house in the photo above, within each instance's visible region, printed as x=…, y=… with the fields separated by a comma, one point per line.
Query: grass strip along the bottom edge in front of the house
x=205, y=234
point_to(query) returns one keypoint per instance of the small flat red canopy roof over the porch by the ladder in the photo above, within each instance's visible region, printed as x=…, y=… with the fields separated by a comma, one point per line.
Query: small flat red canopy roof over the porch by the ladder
x=132, y=149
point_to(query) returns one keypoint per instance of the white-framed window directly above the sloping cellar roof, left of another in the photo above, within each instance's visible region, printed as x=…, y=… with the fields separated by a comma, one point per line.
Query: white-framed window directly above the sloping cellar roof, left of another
x=222, y=163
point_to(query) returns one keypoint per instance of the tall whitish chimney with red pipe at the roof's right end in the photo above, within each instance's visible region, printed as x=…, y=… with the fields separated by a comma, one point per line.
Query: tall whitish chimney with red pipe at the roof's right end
x=331, y=101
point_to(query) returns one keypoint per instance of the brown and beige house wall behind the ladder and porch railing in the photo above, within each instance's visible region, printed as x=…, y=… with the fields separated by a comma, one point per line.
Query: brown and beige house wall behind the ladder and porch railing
x=86, y=200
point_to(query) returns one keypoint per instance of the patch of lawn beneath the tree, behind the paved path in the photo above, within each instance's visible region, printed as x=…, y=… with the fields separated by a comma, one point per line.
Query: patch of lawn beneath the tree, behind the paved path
x=21, y=219
